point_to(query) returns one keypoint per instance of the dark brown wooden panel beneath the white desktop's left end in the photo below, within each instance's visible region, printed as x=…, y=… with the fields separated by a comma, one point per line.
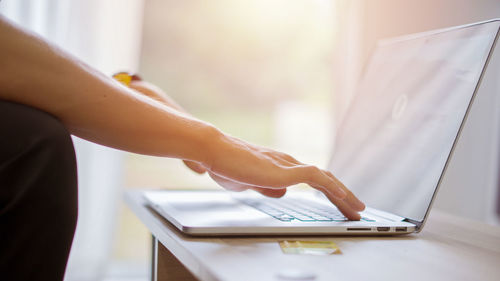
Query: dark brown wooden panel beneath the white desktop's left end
x=165, y=266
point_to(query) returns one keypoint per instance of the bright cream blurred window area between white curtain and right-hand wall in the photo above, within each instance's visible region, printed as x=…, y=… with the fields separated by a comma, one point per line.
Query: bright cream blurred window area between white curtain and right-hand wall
x=259, y=70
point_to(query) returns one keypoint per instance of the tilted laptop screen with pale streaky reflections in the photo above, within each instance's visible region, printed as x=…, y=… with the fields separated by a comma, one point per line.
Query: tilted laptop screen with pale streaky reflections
x=393, y=143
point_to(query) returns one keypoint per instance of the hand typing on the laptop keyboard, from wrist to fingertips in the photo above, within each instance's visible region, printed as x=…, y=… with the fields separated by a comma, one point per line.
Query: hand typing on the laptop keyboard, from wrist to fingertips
x=237, y=165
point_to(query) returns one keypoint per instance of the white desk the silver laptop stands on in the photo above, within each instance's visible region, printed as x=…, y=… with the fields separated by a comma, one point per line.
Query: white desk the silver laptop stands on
x=448, y=248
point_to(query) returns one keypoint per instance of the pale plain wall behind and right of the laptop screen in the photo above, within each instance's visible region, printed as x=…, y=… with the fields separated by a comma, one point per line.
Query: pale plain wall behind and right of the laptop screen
x=470, y=187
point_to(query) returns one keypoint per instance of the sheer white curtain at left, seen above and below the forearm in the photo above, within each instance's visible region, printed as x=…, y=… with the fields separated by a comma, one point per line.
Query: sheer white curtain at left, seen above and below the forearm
x=106, y=35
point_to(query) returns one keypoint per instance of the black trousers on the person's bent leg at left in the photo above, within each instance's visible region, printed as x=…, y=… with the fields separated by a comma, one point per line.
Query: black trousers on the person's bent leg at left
x=38, y=194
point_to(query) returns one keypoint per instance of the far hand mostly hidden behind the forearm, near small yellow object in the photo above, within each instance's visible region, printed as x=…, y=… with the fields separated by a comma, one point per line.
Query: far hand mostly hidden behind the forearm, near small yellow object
x=157, y=94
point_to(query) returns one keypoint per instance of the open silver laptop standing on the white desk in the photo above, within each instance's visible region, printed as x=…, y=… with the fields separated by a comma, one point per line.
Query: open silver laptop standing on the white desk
x=391, y=148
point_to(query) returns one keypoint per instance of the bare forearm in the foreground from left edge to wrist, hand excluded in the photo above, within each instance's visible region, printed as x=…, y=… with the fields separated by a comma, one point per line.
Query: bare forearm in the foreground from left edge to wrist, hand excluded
x=92, y=105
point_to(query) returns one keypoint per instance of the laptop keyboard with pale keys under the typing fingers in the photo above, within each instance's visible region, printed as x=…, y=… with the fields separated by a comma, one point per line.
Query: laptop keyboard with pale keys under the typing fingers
x=286, y=209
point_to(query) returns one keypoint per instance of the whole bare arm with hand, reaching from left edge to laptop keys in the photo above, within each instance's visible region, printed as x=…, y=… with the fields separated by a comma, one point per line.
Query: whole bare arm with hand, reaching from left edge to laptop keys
x=99, y=109
